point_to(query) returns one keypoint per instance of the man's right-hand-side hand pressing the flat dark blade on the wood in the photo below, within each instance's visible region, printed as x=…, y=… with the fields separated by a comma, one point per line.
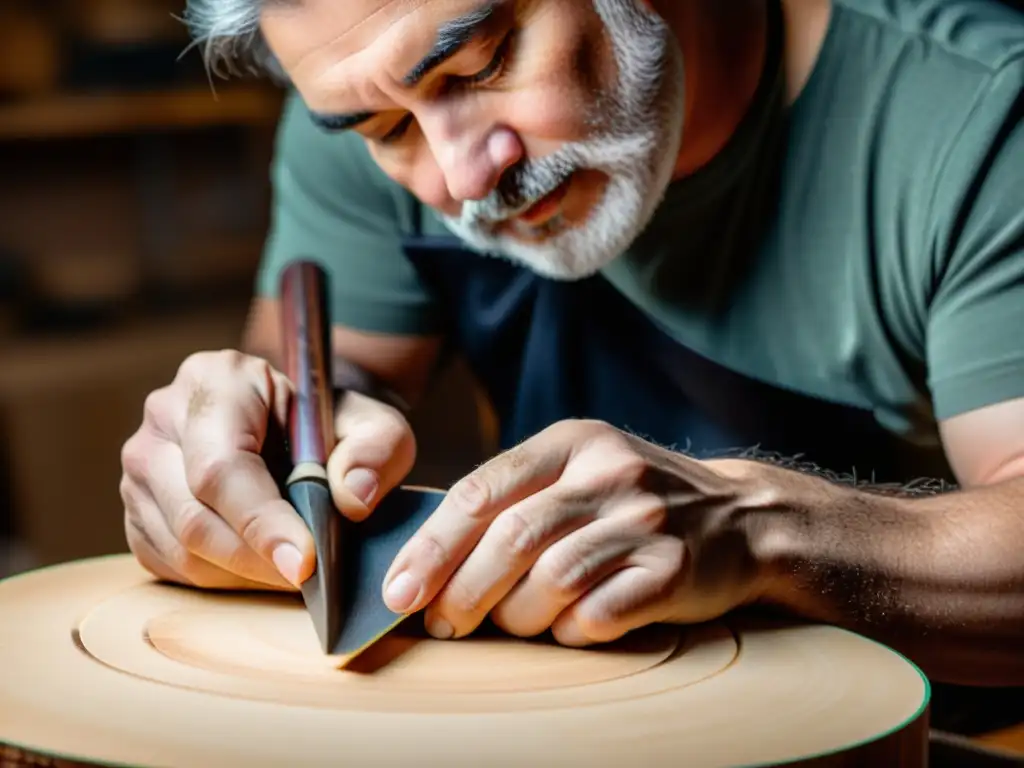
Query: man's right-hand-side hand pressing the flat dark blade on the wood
x=585, y=531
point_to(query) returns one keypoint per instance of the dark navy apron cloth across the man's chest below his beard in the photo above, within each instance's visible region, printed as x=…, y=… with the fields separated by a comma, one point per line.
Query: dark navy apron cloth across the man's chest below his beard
x=548, y=351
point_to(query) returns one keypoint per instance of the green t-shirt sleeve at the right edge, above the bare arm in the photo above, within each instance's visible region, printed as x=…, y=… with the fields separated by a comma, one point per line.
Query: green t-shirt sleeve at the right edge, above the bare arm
x=976, y=319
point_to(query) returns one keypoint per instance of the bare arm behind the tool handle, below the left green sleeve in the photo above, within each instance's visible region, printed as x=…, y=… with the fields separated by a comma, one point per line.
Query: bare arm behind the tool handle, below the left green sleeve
x=403, y=363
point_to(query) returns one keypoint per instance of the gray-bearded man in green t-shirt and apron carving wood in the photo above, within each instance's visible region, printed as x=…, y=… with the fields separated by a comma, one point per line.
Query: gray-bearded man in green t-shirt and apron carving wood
x=659, y=231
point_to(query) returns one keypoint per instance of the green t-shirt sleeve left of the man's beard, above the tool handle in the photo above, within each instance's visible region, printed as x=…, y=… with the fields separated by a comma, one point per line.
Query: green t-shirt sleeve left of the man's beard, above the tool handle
x=332, y=204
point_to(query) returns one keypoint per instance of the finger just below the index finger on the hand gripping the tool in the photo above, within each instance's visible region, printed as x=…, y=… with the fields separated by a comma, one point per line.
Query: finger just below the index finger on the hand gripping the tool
x=203, y=533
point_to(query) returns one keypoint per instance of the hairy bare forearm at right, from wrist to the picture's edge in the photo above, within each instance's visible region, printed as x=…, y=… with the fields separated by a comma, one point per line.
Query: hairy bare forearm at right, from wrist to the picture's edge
x=940, y=578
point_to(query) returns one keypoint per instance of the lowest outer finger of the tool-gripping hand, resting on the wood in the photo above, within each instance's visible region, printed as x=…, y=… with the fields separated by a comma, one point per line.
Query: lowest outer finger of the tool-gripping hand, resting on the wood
x=159, y=551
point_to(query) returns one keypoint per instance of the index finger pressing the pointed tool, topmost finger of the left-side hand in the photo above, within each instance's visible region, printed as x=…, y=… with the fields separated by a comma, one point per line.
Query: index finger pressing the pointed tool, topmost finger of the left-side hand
x=224, y=471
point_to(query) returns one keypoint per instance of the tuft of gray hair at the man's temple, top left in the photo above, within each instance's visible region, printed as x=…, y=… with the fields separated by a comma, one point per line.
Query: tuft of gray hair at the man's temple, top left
x=229, y=36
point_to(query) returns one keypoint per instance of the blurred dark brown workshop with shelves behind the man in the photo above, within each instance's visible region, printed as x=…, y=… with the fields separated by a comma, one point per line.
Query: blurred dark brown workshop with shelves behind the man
x=134, y=205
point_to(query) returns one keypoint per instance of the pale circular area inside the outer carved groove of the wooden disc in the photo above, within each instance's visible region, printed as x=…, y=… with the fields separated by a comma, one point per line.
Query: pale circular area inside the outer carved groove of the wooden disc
x=265, y=649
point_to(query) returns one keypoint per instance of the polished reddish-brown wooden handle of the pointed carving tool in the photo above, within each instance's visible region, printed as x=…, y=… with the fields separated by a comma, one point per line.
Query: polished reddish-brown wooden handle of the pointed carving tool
x=307, y=335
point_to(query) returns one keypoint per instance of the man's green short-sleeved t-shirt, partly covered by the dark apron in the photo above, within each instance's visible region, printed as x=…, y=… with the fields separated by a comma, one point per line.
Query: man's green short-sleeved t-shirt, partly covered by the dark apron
x=869, y=250
